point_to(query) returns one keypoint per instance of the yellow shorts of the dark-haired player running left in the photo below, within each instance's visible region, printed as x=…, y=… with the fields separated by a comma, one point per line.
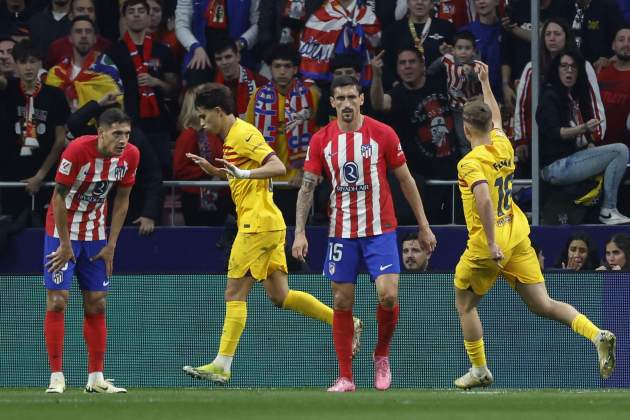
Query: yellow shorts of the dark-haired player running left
x=260, y=254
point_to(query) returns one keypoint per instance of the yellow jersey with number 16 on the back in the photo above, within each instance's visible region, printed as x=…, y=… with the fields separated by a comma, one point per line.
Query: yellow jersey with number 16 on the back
x=494, y=164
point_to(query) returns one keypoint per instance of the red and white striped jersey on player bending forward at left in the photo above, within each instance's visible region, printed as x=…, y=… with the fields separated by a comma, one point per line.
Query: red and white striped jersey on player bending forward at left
x=90, y=175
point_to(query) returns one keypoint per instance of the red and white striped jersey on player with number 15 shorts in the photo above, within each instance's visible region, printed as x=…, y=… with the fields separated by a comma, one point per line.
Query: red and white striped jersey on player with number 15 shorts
x=356, y=164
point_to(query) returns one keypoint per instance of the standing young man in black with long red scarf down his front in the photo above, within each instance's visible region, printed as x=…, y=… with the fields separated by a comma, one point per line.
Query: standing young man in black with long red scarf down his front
x=149, y=76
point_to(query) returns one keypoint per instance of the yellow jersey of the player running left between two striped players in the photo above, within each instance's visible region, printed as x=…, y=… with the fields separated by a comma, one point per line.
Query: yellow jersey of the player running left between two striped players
x=246, y=148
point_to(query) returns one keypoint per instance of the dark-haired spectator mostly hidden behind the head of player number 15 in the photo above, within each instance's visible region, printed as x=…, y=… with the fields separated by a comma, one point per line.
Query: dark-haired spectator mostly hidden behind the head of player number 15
x=348, y=64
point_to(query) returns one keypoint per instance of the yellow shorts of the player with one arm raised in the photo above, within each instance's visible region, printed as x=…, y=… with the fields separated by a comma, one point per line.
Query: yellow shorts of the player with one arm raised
x=520, y=264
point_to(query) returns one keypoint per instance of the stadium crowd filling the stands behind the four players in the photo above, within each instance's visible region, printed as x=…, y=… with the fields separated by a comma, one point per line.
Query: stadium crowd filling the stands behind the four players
x=62, y=62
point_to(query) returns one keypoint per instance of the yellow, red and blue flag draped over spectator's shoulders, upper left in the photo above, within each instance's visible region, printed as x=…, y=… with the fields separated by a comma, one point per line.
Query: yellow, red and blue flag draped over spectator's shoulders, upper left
x=98, y=76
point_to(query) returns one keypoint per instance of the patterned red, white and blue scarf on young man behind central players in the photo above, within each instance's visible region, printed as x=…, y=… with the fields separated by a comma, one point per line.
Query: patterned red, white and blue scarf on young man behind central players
x=299, y=122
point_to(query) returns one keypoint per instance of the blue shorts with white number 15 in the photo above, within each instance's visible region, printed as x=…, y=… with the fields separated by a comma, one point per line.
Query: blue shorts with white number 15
x=380, y=254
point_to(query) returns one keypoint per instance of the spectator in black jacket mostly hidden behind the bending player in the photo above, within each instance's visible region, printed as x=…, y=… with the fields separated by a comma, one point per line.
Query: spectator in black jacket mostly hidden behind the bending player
x=145, y=204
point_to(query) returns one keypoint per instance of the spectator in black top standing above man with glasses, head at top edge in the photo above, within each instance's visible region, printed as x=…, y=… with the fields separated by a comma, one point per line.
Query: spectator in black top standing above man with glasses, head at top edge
x=429, y=35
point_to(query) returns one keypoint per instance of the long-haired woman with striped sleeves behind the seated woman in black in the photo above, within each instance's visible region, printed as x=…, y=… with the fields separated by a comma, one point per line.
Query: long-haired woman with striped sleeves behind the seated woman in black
x=556, y=37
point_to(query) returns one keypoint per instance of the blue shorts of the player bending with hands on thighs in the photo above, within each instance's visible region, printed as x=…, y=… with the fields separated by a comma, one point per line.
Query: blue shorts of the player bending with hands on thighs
x=91, y=274
